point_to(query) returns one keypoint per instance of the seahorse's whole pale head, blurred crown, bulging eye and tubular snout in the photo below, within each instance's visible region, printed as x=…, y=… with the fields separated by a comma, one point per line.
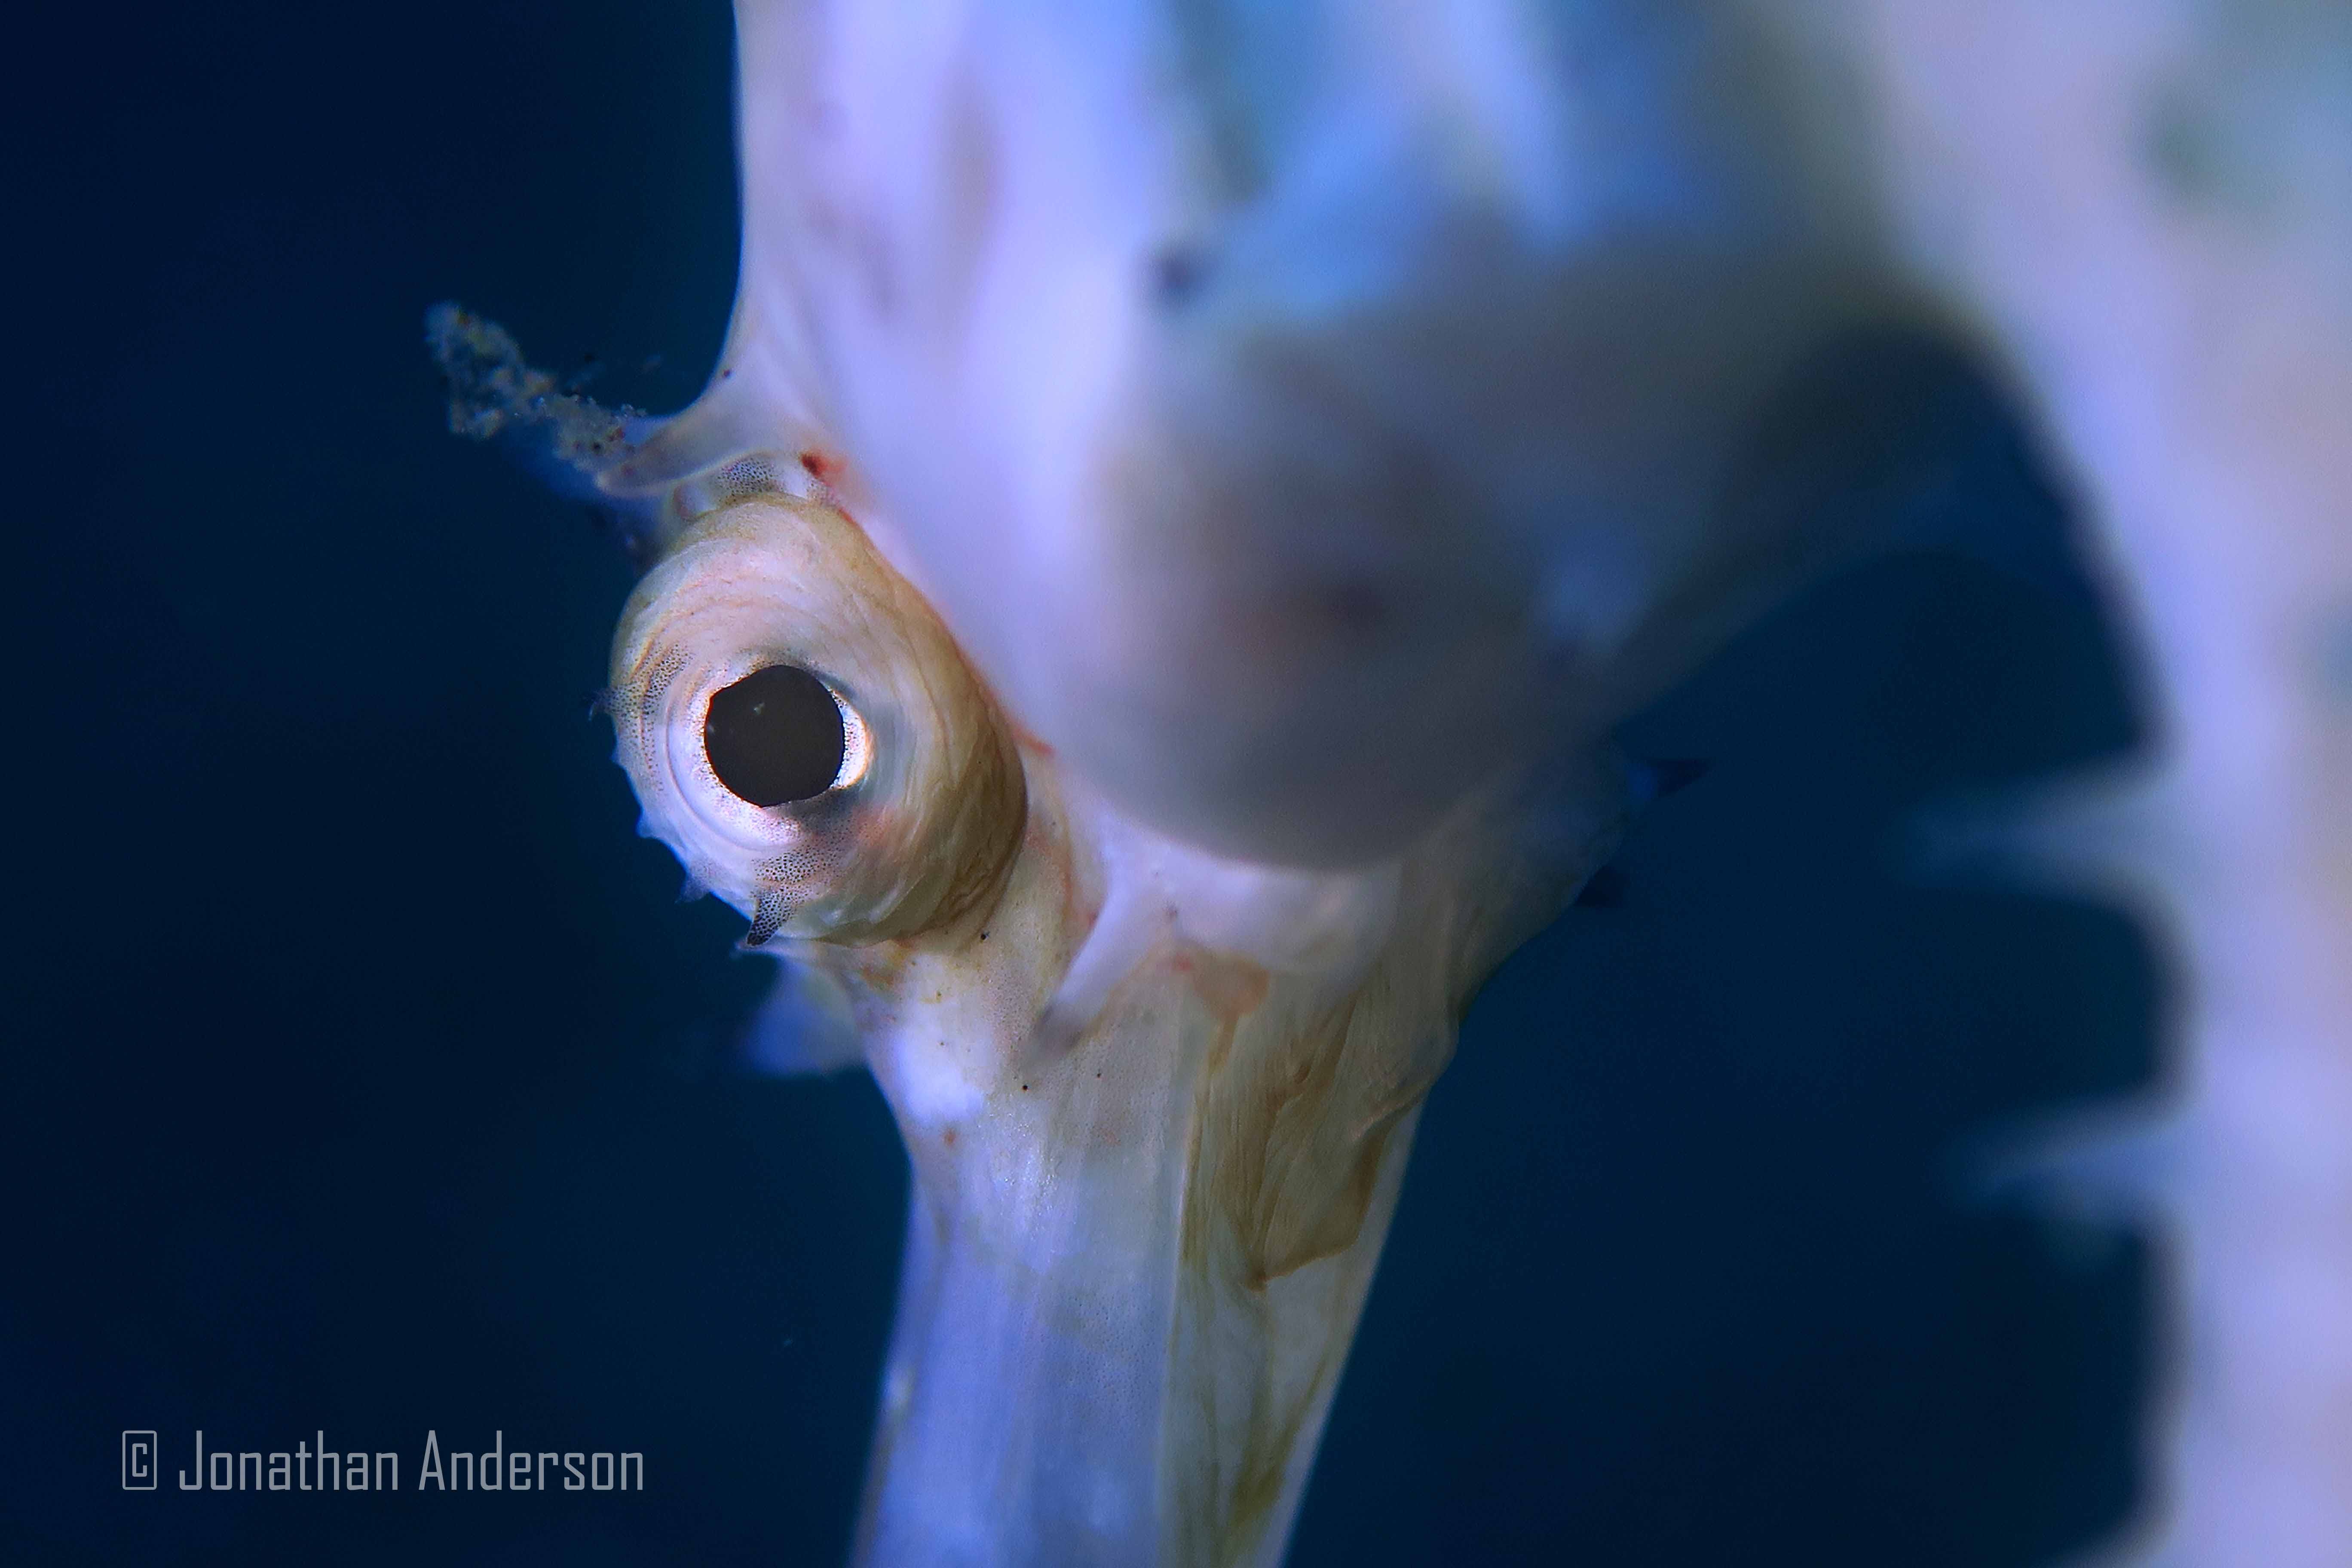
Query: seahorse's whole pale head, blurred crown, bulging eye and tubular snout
x=1137, y=608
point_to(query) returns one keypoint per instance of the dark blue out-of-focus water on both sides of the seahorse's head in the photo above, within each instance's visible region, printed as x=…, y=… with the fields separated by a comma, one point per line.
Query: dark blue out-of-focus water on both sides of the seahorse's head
x=363, y=1073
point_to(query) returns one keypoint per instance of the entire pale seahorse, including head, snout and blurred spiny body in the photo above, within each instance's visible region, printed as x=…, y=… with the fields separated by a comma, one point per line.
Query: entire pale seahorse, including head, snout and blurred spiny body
x=1137, y=622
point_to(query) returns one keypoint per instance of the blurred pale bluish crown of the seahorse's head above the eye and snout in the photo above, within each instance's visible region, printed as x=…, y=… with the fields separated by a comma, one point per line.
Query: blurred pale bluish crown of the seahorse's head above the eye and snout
x=1292, y=408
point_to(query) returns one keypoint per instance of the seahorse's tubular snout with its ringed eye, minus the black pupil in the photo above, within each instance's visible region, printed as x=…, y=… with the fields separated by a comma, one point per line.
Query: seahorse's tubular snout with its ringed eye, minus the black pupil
x=1158, y=1101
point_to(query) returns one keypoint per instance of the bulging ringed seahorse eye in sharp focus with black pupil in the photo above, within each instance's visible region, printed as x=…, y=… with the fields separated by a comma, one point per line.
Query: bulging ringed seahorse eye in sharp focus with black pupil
x=806, y=735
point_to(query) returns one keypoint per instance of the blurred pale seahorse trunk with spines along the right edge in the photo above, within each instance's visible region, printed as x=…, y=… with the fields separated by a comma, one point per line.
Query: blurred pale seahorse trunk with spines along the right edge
x=2153, y=213
